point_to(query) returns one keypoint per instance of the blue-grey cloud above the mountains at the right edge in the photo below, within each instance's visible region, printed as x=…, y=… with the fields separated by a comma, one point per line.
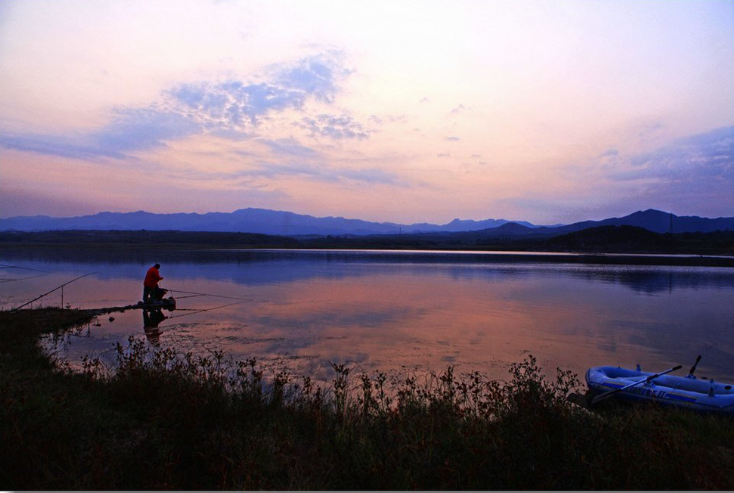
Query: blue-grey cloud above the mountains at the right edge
x=690, y=176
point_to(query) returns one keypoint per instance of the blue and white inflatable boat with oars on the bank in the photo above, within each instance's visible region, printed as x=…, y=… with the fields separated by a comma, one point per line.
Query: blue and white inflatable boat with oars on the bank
x=689, y=392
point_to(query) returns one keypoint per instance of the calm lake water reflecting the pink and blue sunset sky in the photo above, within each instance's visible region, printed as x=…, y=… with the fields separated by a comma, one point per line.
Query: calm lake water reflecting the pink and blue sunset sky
x=396, y=312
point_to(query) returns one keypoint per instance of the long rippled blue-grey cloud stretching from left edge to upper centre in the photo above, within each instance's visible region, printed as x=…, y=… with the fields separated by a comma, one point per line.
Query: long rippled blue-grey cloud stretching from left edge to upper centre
x=231, y=108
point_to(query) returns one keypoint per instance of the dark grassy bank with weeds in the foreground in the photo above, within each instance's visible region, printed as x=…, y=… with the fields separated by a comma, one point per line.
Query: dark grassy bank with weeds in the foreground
x=166, y=420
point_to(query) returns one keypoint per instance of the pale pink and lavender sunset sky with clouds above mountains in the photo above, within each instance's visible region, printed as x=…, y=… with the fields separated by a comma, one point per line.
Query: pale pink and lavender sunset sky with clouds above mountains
x=548, y=111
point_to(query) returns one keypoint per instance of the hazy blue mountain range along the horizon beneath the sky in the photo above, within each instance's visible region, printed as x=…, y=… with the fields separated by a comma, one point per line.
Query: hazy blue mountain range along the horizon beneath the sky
x=283, y=223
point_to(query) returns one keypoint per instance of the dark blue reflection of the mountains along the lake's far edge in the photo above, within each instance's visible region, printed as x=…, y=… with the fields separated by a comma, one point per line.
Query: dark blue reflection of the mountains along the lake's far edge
x=284, y=266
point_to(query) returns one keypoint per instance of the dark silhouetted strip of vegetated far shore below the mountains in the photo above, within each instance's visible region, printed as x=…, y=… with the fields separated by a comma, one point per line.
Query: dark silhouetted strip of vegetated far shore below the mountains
x=603, y=239
